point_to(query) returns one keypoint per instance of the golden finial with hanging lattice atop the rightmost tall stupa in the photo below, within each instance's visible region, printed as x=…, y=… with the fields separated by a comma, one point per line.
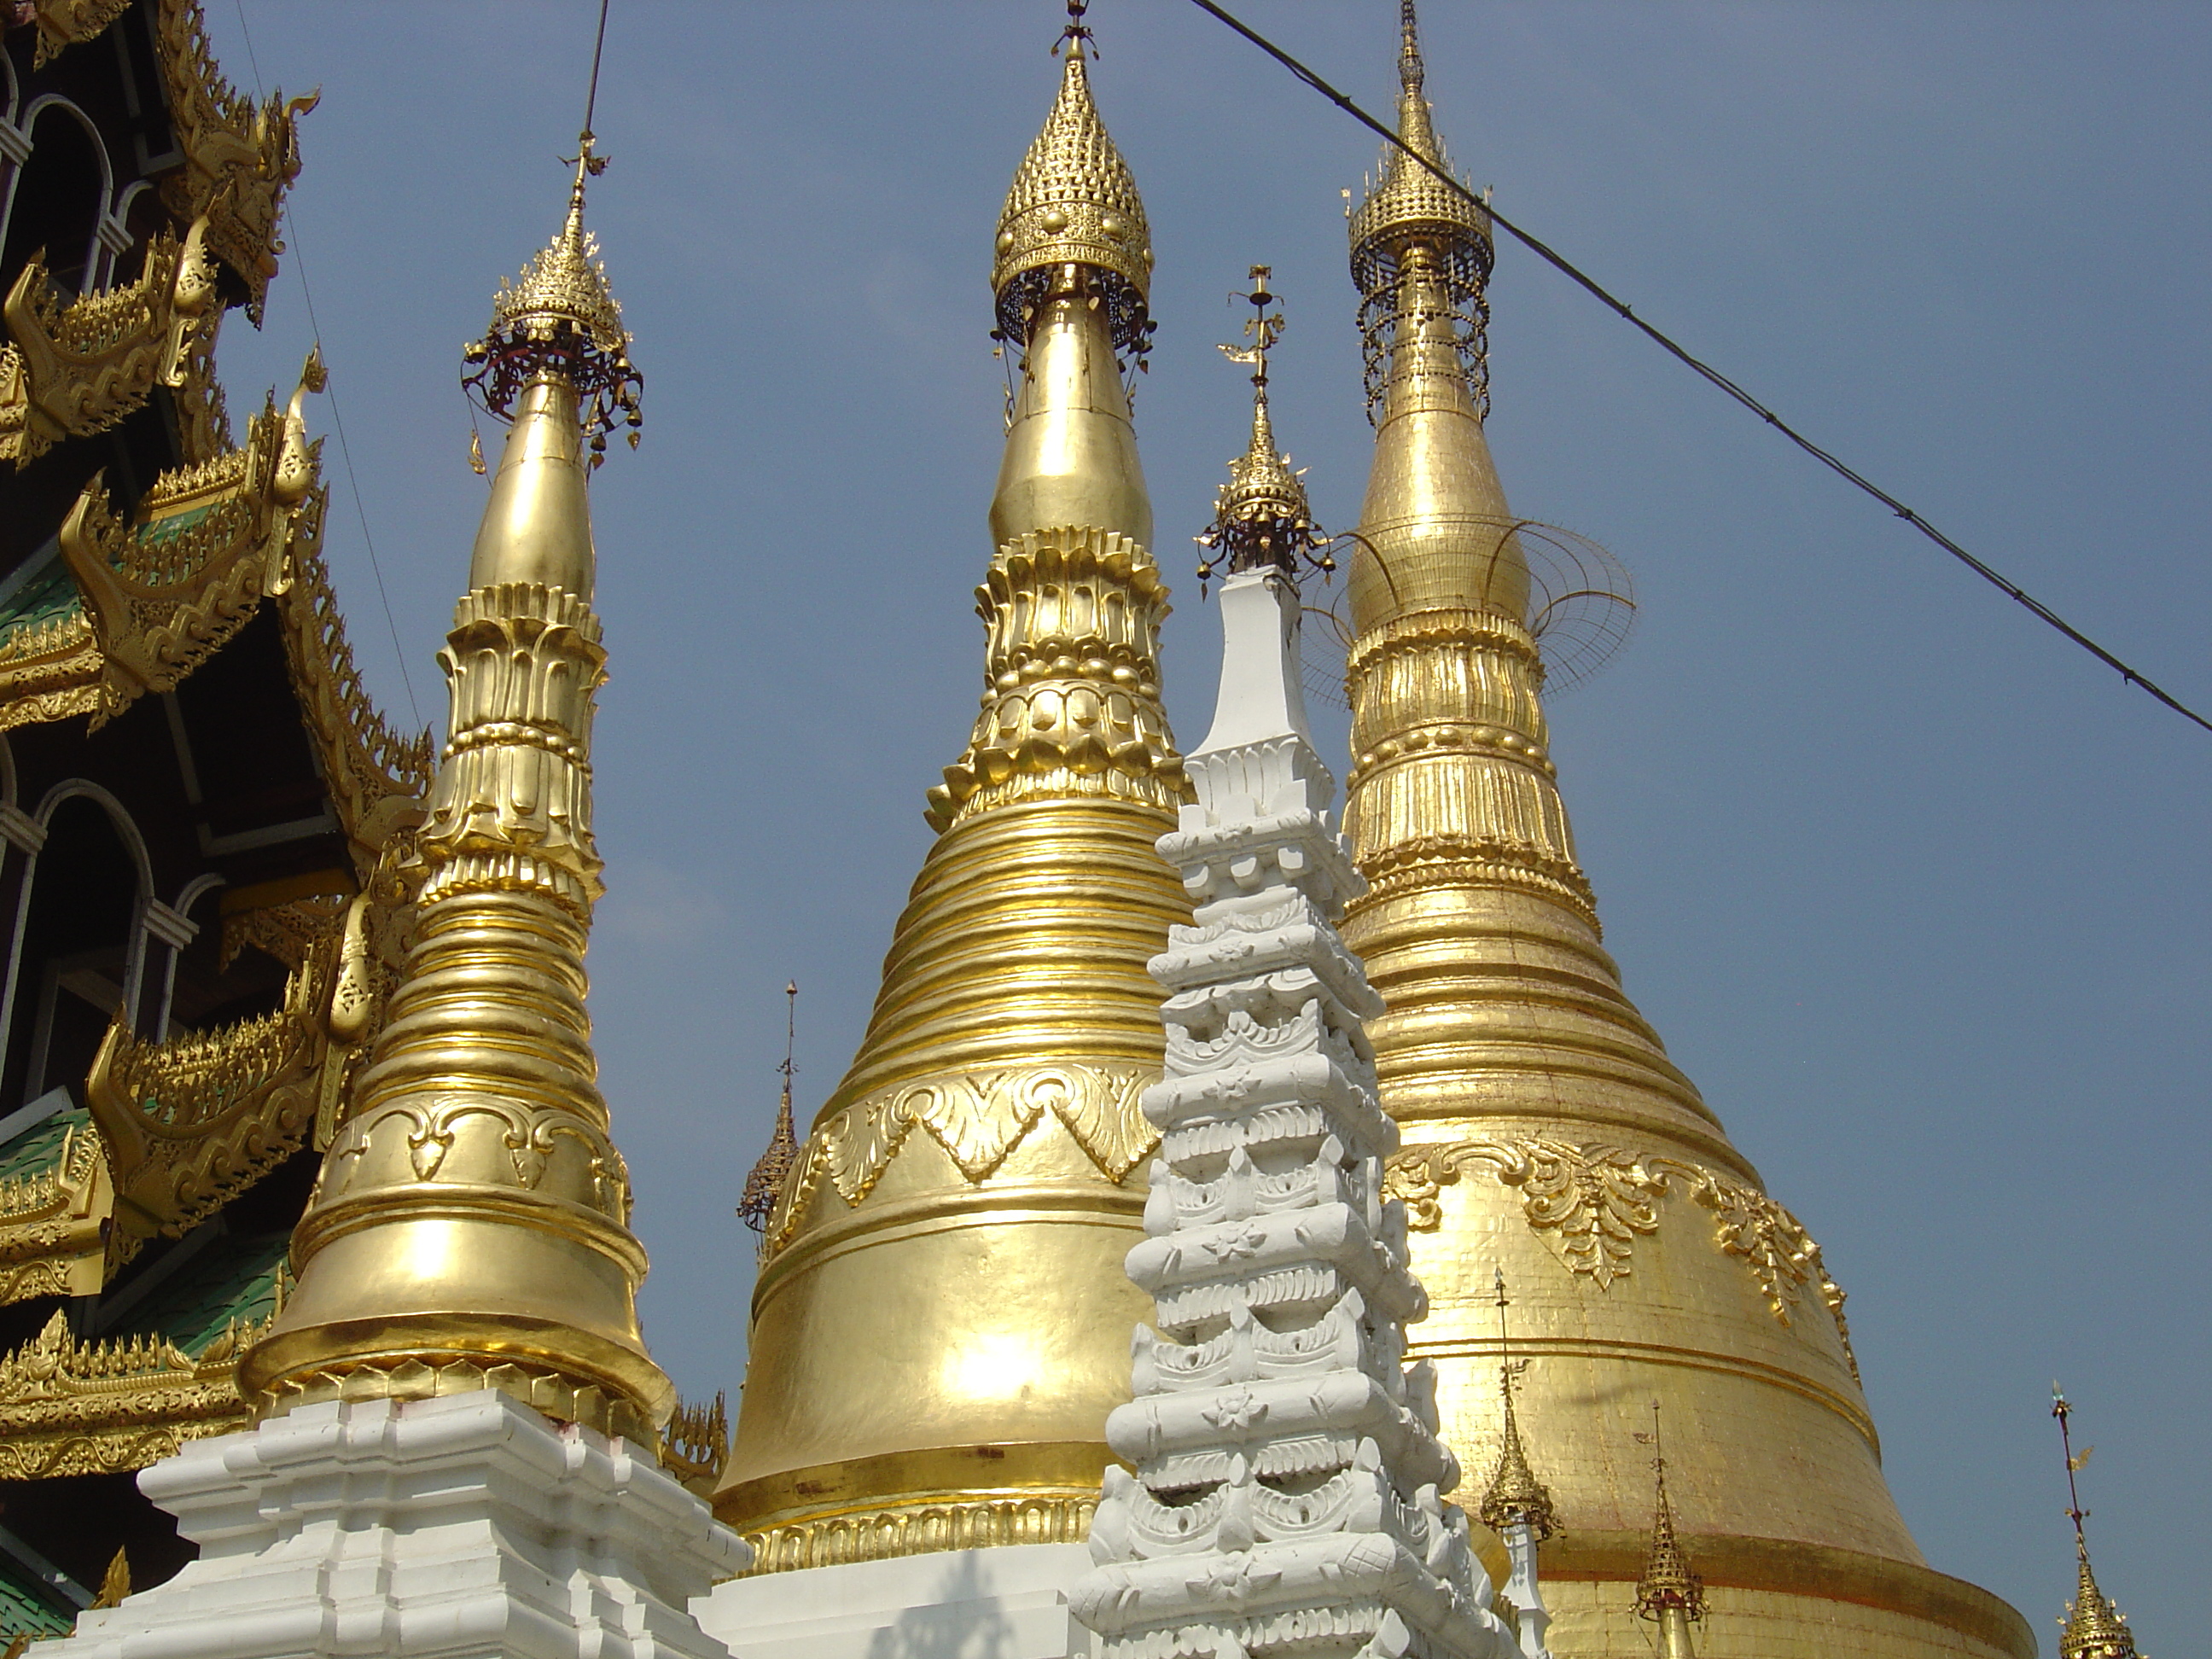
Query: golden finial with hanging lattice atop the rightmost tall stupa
x=1415, y=225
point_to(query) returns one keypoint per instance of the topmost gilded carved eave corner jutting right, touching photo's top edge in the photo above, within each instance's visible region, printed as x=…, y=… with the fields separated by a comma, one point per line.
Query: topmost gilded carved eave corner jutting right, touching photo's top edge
x=240, y=158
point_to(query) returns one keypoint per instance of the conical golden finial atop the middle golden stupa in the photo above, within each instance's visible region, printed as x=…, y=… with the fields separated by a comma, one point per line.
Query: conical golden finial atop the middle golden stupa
x=1074, y=202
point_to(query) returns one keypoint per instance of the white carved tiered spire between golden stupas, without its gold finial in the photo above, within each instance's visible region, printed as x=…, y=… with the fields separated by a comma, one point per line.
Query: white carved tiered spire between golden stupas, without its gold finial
x=1288, y=1472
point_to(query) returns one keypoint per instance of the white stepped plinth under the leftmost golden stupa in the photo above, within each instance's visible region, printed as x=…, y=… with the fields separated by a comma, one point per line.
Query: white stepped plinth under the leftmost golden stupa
x=466, y=1527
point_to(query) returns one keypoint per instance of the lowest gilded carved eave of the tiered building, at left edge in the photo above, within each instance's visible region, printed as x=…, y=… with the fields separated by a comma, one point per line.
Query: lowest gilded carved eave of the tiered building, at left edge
x=109, y=1408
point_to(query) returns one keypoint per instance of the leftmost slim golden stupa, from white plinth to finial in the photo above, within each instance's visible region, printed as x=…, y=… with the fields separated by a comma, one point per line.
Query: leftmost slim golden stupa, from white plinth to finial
x=470, y=1227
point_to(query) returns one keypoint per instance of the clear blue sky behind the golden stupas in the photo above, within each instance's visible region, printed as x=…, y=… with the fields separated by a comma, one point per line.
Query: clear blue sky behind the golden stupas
x=1912, y=888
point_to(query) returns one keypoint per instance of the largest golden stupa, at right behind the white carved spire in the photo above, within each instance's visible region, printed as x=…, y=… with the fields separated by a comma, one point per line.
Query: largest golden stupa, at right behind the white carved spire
x=1545, y=1127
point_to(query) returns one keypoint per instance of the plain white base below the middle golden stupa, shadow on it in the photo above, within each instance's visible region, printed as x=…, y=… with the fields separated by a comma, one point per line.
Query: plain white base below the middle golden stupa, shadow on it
x=1008, y=1603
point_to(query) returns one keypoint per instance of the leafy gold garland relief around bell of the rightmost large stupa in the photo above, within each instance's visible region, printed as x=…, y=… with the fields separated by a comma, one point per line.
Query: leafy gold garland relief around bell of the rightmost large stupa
x=1596, y=1200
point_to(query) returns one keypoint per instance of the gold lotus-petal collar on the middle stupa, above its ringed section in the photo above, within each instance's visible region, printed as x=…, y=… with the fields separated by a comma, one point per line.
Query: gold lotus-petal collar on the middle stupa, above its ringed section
x=1072, y=702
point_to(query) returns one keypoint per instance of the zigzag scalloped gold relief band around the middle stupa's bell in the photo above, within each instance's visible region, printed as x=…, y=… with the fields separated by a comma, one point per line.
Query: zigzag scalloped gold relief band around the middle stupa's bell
x=979, y=1120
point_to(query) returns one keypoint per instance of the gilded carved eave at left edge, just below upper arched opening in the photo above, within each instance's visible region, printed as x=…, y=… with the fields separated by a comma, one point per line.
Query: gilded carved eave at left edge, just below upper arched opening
x=79, y=366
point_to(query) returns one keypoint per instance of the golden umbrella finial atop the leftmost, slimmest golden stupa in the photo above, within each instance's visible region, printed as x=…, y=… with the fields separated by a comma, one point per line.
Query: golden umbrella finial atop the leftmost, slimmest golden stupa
x=561, y=315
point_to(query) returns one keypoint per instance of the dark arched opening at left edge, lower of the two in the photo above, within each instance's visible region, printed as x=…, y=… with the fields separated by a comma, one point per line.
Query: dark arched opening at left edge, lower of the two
x=79, y=948
